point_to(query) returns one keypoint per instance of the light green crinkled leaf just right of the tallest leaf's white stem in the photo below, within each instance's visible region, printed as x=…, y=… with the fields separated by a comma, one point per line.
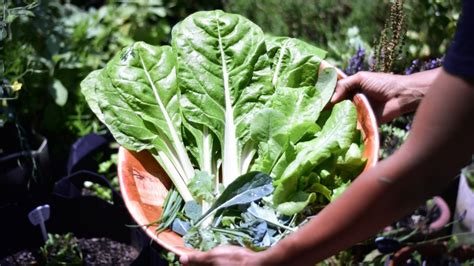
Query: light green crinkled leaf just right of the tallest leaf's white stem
x=295, y=111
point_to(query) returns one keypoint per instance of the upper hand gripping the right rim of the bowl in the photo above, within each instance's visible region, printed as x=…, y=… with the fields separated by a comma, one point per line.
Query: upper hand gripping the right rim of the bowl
x=389, y=95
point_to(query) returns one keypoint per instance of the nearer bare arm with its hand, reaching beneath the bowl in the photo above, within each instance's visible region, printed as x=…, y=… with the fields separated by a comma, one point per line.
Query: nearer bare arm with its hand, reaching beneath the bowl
x=440, y=143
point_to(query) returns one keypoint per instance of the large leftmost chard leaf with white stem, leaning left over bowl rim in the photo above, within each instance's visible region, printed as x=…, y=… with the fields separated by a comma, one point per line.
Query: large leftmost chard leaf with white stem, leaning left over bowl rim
x=139, y=100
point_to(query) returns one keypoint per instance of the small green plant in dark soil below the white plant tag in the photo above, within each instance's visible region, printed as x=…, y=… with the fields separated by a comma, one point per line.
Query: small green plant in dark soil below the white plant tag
x=61, y=250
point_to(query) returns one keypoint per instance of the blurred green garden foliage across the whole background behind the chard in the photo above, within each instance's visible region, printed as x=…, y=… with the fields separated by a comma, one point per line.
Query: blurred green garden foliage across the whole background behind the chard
x=48, y=47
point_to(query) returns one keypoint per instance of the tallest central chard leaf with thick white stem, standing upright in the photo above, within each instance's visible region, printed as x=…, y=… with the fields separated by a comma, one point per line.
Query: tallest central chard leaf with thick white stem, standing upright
x=223, y=77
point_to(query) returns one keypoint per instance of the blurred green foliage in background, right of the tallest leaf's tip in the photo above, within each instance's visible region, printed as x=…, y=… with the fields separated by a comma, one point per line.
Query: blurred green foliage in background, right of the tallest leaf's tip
x=344, y=26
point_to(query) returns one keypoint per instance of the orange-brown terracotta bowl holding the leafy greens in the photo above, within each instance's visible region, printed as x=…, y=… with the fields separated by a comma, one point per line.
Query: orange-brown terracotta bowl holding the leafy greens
x=144, y=184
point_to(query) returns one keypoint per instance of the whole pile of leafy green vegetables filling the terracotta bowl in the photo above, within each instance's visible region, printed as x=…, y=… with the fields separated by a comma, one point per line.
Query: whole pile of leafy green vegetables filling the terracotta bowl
x=236, y=120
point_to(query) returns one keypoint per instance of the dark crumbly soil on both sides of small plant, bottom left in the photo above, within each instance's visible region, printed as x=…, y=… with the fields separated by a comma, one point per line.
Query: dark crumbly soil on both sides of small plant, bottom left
x=95, y=251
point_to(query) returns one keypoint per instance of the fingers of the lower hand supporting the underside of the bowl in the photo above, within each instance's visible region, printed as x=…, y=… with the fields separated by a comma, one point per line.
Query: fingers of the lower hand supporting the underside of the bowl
x=223, y=255
